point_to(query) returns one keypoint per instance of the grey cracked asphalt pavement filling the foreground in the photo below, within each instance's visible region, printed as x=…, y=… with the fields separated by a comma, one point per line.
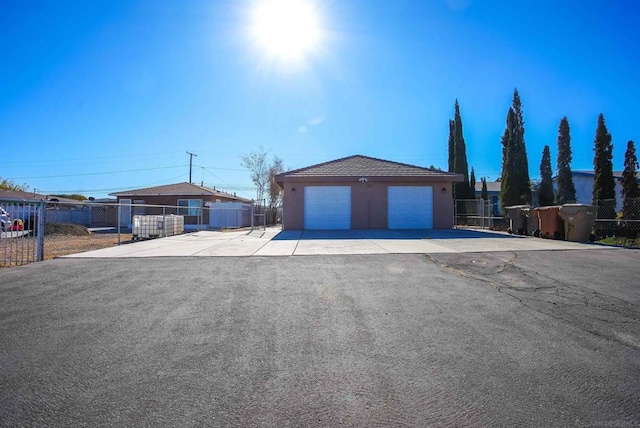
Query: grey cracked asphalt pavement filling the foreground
x=539, y=338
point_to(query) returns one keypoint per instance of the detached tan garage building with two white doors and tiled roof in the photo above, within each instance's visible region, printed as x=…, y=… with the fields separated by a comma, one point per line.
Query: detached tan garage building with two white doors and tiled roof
x=360, y=192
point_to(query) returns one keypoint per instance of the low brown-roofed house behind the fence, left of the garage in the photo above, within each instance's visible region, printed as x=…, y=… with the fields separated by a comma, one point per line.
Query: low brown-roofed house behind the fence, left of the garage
x=189, y=198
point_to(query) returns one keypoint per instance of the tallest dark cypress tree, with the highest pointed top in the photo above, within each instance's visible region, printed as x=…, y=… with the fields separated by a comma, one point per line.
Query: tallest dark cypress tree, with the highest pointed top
x=515, y=186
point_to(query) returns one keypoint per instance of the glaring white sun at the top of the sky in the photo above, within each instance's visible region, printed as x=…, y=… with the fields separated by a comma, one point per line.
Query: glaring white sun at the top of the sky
x=286, y=29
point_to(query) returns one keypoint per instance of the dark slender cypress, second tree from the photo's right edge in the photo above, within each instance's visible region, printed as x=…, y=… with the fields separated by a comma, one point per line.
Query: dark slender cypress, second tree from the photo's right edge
x=604, y=185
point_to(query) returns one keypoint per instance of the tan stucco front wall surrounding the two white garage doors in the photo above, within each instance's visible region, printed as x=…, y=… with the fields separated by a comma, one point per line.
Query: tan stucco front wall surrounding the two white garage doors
x=368, y=202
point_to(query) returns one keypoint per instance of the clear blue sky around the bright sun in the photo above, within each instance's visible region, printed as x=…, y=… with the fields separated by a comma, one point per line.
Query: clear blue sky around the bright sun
x=102, y=96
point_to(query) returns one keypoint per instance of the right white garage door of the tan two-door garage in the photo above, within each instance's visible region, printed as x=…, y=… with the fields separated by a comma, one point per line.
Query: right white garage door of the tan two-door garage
x=410, y=207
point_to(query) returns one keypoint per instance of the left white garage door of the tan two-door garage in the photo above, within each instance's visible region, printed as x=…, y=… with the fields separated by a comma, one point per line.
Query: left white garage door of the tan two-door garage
x=327, y=207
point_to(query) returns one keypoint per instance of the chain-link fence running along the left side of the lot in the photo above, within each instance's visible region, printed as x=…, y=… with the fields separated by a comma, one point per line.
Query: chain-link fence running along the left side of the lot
x=36, y=230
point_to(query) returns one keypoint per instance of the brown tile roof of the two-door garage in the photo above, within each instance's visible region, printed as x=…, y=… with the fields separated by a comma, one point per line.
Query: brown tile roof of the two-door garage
x=358, y=165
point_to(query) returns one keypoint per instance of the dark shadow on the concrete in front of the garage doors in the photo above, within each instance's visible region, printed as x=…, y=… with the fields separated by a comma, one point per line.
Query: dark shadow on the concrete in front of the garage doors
x=289, y=235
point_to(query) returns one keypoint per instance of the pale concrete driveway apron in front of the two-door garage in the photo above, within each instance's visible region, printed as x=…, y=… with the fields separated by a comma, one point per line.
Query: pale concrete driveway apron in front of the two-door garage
x=276, y=242
